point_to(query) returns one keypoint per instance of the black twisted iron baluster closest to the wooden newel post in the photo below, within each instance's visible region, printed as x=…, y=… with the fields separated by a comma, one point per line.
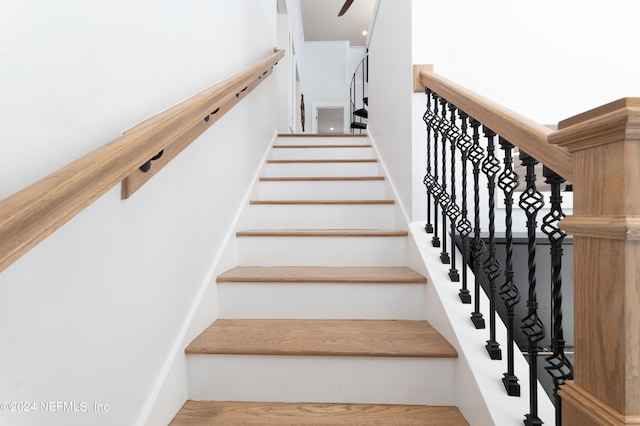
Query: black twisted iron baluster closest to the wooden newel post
x=559, y=367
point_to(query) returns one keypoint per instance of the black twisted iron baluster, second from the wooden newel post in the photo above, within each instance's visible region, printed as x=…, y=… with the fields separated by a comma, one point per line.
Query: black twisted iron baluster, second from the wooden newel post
x=531, y=201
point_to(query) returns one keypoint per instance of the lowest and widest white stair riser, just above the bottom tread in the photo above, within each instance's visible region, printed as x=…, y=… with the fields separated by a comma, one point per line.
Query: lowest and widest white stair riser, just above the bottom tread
x=321, y=379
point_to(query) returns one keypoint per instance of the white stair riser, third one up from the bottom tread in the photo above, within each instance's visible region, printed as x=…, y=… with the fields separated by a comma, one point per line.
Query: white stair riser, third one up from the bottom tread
x=321, y=251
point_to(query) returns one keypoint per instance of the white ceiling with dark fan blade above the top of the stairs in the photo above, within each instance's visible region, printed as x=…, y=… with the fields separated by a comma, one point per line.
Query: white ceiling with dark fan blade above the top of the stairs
x=321, y=22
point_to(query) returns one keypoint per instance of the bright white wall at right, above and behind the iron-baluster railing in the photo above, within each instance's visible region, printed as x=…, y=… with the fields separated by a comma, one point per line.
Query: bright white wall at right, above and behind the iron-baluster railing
x=545, y=60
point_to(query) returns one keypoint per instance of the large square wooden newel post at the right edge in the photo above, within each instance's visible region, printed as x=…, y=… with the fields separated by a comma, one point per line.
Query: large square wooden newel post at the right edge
x=605, y=143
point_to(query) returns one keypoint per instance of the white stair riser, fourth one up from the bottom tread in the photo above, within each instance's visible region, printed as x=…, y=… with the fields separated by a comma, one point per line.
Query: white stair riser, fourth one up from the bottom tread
x=321, y=216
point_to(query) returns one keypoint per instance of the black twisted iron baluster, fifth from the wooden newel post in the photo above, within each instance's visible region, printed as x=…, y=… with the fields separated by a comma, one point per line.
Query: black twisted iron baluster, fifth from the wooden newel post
x=478, y=247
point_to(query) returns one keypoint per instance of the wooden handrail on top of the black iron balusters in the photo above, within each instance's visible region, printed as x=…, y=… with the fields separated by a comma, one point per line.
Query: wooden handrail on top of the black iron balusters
x=531, y=137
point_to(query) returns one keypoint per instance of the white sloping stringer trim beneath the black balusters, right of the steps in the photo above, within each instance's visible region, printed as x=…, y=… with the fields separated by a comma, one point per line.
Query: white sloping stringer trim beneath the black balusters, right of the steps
x=480, y=394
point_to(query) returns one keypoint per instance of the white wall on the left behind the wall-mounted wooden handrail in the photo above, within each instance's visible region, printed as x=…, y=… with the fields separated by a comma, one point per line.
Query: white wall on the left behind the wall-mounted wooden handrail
x=97, y=312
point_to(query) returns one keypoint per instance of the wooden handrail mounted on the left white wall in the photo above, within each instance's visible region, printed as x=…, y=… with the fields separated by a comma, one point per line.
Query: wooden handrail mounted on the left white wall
x=29, y=216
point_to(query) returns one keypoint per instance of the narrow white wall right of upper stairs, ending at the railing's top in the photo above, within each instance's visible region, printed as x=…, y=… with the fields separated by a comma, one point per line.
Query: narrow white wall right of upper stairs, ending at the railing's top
x=390, y=91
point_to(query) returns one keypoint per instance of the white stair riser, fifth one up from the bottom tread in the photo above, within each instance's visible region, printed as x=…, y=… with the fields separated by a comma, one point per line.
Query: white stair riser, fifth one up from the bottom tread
x=322, y=190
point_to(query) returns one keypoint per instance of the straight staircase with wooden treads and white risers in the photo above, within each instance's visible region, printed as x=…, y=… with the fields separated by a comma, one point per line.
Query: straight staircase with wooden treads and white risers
x=321, y=322
